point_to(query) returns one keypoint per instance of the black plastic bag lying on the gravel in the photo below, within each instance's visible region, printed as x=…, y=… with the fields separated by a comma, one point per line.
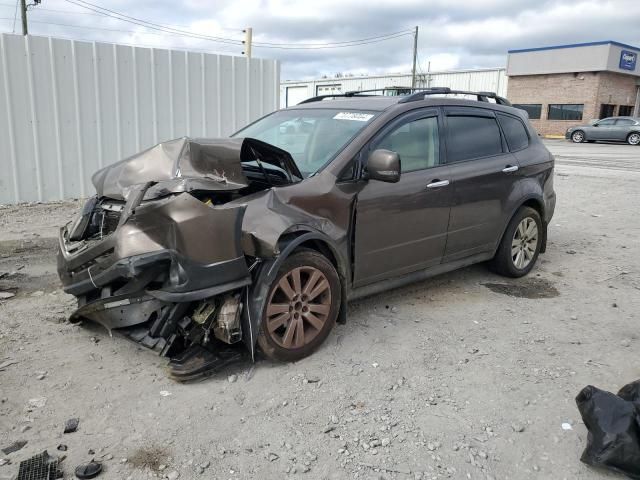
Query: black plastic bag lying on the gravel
x=613, y=422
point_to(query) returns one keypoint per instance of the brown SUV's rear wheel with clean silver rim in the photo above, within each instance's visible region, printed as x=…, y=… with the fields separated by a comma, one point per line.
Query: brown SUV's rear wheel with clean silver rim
x=506, y=262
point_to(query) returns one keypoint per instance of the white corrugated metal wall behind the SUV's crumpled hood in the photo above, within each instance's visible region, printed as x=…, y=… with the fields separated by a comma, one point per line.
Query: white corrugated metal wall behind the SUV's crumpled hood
x=68, y=107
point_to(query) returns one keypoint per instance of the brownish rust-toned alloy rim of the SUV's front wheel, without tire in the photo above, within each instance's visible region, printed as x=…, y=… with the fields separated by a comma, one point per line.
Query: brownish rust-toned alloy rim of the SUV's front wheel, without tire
x=298, y=307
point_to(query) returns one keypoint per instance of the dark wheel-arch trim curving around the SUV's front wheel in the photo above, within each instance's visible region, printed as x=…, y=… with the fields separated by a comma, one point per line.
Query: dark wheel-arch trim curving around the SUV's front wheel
x=255, y=295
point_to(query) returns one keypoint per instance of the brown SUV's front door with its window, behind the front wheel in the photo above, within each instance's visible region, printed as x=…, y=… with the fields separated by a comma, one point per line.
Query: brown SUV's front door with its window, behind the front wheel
x=401, y=227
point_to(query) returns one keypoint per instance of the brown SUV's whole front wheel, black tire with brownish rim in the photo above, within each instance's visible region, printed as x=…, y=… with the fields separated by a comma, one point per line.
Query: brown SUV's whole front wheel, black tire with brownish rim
x=286, y=309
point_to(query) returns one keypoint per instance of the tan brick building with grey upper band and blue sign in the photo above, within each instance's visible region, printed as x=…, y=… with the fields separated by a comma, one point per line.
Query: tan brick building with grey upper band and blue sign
x=565, y=85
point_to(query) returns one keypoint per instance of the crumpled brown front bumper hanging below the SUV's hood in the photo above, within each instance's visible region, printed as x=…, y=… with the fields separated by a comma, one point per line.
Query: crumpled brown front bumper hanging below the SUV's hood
x=171, y=251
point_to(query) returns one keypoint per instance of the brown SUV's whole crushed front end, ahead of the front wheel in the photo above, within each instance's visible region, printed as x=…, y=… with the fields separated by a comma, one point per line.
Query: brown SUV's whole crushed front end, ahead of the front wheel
x=157, y=254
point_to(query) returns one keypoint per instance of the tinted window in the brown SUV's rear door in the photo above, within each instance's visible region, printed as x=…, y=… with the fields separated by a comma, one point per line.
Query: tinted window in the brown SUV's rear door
x=472, y=137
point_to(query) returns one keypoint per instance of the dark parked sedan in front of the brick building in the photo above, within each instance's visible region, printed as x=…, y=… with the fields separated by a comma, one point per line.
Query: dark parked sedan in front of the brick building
x=612, y=129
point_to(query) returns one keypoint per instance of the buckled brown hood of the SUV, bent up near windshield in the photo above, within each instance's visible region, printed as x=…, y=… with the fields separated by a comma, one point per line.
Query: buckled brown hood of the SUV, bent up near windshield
x=187, y=164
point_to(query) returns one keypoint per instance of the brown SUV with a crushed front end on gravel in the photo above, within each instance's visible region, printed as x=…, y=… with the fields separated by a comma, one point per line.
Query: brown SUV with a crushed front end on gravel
x=262, y=238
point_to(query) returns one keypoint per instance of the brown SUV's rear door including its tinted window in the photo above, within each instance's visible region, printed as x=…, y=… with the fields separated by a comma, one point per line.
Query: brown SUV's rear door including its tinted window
x=484, y=178
